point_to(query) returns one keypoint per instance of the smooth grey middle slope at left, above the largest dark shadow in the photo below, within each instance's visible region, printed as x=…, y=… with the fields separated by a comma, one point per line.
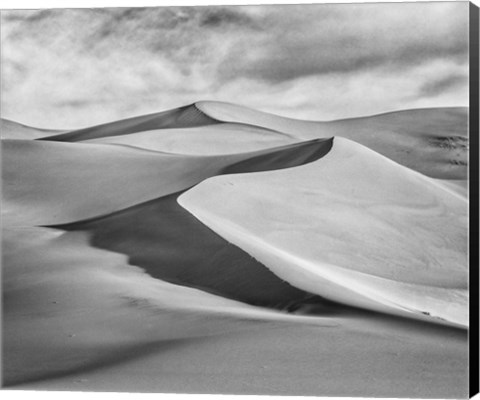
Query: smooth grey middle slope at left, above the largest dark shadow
x=38, y=189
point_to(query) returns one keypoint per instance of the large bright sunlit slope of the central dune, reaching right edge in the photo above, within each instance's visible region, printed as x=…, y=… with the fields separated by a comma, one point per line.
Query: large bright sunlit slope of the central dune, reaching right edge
x=353, y=226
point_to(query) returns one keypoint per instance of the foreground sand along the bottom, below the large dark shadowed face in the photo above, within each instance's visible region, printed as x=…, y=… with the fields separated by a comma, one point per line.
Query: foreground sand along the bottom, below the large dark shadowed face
x=79, y=318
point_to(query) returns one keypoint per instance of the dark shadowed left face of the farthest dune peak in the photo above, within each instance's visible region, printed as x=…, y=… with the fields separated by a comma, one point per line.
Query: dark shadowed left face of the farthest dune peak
x=187, y=116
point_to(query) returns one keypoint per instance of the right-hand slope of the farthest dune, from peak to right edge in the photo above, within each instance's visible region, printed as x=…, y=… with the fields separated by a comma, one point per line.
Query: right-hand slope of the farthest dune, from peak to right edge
x=431, y=141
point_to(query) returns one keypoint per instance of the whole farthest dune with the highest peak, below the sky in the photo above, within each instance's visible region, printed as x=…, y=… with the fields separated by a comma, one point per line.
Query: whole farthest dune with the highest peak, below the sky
x=431, y=141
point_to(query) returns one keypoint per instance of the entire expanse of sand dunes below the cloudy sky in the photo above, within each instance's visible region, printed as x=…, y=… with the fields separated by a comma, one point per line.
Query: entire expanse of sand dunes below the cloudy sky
x=217, y=249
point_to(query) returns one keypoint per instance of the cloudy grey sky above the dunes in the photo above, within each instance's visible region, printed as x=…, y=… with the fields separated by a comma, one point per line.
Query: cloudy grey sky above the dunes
x=71, y=68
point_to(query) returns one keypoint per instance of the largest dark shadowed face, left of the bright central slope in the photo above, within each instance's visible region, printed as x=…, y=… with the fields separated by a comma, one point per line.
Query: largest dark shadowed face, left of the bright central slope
x=171, y=244
